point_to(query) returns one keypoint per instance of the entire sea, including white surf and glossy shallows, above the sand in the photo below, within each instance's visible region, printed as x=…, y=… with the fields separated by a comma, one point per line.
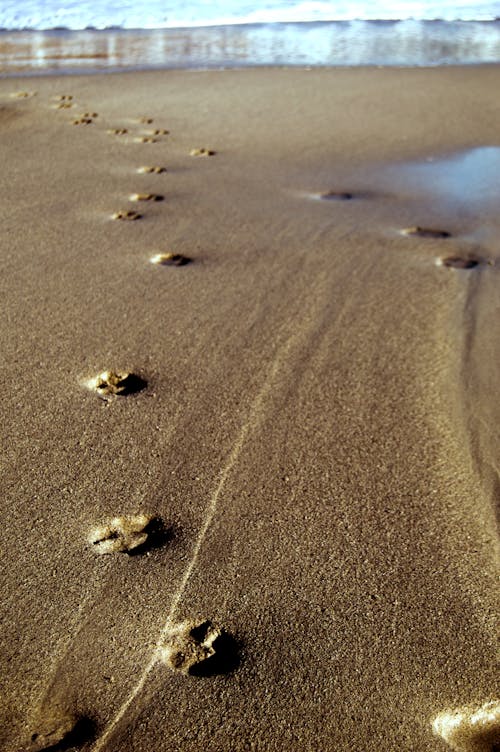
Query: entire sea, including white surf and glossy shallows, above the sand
x=59, y=36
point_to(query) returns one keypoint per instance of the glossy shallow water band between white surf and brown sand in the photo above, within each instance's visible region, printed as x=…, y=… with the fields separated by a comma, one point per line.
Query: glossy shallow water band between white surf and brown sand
x=408, y=43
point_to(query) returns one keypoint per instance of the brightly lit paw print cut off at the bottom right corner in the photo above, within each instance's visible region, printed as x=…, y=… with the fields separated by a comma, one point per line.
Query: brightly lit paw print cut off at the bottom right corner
x=470, y=729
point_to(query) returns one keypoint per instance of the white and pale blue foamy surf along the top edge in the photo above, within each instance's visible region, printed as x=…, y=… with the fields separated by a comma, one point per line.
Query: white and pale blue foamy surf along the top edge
x=155, y=14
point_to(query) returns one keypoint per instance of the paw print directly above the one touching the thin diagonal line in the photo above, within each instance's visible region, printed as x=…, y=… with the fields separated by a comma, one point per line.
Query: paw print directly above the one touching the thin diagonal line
x=122, y=534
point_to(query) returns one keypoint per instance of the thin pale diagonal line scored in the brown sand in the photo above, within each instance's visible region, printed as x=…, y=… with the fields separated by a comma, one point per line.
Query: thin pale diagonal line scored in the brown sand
x=207, y=521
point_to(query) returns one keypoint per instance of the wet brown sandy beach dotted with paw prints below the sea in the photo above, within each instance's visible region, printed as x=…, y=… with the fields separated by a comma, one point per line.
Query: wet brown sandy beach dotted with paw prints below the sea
x=249, y=425
